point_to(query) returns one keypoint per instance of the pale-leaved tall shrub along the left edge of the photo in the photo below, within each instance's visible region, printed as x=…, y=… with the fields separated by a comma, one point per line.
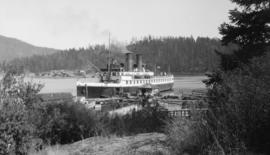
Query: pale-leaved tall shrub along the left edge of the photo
x=16, y=99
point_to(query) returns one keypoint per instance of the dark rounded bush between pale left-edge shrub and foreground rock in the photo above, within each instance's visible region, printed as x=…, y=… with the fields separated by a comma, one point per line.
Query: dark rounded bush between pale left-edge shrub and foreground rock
x=64, y=122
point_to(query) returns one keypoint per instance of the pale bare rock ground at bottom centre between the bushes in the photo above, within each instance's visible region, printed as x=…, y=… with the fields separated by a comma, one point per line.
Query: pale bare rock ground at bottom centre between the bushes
x=147, y=143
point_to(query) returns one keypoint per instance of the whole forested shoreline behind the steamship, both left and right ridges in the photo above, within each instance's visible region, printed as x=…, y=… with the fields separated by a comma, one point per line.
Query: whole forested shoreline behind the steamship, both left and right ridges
x=181, y=55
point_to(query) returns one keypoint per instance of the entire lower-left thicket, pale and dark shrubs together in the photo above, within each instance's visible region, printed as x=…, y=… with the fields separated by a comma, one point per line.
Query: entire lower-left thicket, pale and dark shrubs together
x=27, y=123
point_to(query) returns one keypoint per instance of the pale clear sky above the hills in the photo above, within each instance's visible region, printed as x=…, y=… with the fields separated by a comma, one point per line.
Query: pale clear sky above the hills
x=66, y=24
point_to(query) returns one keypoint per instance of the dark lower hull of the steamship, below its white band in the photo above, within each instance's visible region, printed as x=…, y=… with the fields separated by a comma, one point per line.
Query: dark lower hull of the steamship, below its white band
x=98, y=92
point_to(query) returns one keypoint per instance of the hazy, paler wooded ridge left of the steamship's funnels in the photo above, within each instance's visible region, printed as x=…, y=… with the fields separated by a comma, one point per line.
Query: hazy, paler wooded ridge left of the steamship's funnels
x=71, y=59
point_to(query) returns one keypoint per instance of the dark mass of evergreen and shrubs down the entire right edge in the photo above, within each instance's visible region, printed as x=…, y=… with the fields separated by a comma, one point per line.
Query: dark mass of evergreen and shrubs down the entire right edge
x=239, y=110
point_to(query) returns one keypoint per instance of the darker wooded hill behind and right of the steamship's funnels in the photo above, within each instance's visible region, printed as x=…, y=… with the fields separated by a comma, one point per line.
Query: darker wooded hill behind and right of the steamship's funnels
x=182, y=55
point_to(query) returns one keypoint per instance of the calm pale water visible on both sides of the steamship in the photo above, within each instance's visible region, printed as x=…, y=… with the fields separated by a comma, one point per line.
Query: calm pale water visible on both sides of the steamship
x=69, y=84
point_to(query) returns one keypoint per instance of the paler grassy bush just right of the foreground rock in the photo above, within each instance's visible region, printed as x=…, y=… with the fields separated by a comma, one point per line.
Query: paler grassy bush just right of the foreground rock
x=188, y=135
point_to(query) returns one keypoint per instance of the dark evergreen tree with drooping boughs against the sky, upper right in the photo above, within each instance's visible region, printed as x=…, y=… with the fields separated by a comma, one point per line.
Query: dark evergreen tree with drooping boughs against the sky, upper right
x=249, y=28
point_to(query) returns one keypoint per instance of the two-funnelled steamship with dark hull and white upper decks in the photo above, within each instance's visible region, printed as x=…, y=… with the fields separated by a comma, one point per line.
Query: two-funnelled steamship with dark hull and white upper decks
x=127, y=78
